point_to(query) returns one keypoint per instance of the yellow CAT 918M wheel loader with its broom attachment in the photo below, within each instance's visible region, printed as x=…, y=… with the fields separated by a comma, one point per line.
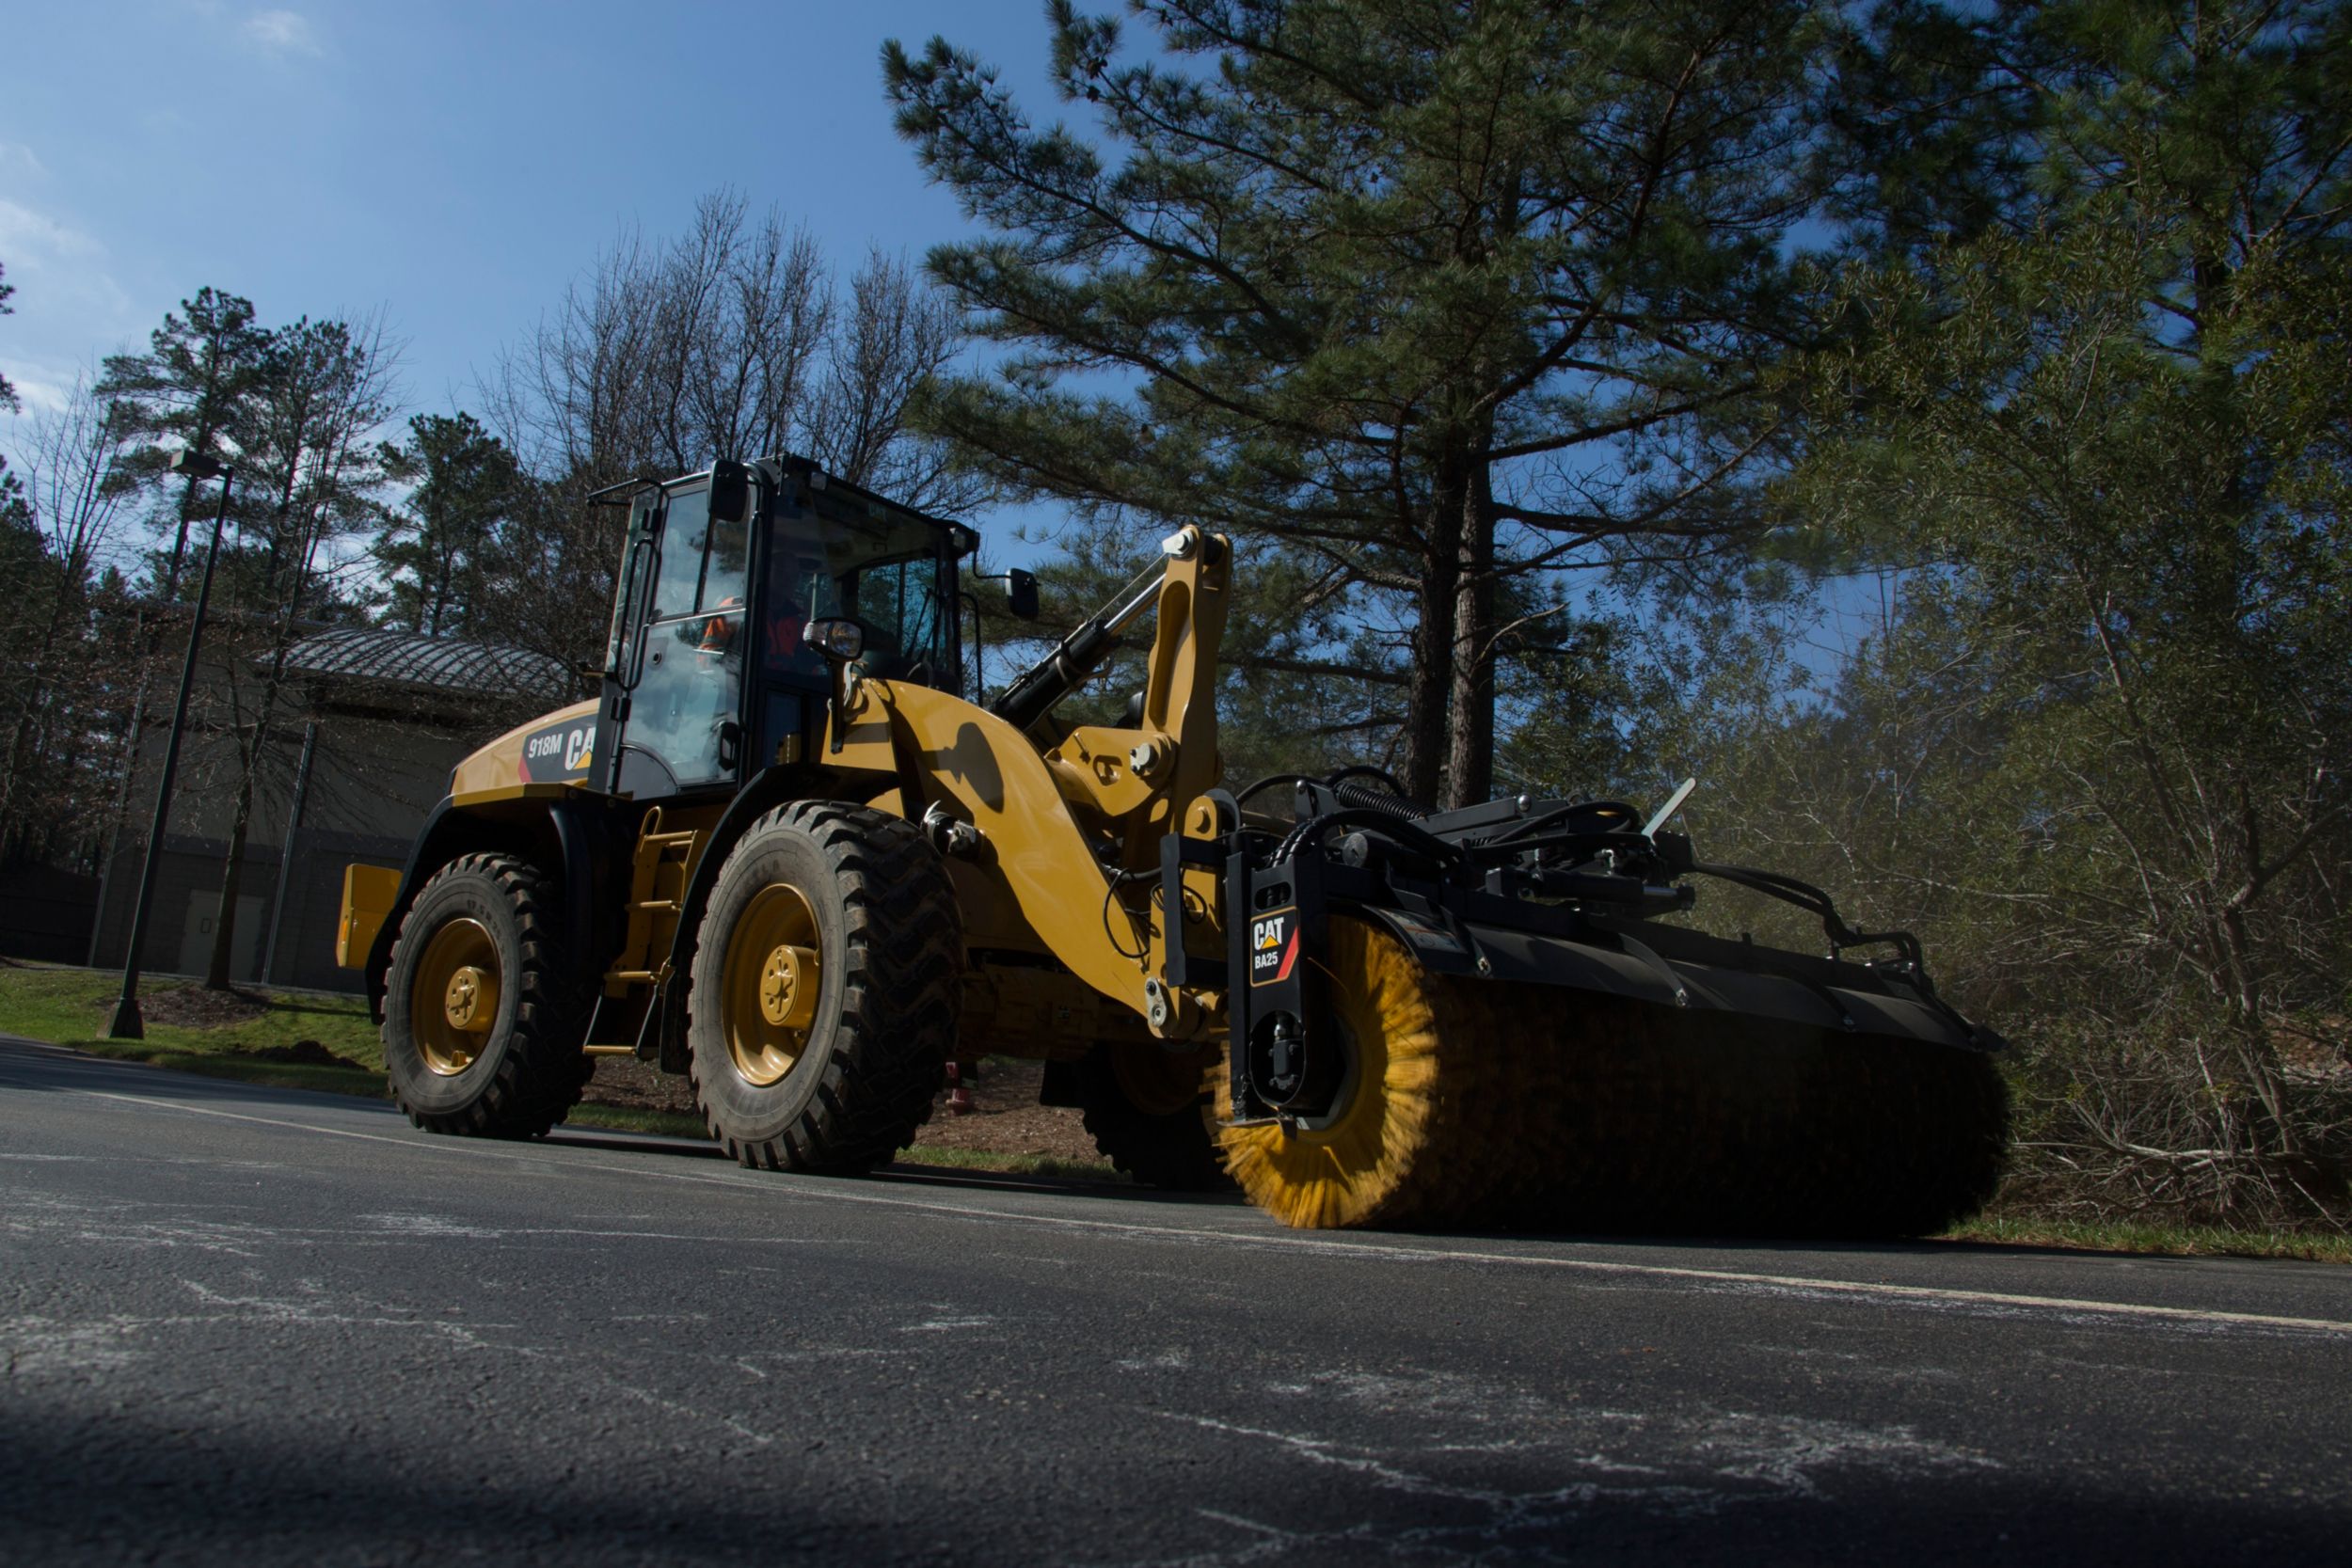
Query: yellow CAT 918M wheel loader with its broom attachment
x=784, y=855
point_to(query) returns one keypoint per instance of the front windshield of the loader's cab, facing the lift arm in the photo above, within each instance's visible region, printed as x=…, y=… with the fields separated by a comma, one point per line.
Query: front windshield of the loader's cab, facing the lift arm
x=886, y=570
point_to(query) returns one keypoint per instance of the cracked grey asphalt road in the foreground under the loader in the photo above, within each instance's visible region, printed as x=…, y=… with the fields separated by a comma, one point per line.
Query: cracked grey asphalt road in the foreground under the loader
x=260, y=1327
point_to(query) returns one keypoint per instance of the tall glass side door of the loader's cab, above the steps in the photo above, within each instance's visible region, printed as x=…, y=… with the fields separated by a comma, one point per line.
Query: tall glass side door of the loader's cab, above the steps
x=681, y=645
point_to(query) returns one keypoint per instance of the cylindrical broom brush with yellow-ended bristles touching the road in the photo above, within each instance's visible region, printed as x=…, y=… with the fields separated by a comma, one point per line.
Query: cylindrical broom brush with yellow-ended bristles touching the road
x=1485, y=1104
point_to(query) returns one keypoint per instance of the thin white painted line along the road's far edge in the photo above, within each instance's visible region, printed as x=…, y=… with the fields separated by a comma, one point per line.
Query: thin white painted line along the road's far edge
x=1292, y=1242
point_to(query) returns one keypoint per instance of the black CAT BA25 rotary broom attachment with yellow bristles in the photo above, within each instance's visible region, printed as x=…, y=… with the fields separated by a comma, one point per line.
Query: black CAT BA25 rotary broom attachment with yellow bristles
x=1471, y=1019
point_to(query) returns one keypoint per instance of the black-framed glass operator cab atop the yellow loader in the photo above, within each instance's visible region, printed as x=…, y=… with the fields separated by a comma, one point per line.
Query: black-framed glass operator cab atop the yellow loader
x=707, y=671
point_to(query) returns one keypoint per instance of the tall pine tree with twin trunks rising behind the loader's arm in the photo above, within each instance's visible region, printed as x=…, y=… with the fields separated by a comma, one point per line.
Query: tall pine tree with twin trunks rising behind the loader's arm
x=1431, y=297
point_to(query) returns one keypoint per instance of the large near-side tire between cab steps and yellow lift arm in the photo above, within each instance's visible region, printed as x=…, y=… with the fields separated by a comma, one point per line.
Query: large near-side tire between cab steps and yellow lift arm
x=824, y=991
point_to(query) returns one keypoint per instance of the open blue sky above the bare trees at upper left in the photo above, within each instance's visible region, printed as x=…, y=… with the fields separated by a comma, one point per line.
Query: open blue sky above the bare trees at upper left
x=448, y=163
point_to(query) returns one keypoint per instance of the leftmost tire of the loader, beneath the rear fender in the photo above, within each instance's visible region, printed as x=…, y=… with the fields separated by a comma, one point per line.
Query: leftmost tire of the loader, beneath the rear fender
x=483, y=1010
